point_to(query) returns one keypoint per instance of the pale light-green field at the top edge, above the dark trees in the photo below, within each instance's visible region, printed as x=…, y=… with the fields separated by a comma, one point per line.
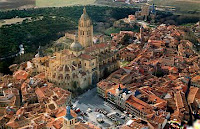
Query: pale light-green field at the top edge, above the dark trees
x=50, y=3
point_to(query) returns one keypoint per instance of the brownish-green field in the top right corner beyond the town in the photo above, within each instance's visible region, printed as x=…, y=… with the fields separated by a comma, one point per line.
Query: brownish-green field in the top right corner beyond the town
x=181, y=5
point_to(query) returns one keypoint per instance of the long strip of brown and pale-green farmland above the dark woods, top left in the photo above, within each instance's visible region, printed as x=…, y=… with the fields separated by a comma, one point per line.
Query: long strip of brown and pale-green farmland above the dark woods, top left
x=20, y=4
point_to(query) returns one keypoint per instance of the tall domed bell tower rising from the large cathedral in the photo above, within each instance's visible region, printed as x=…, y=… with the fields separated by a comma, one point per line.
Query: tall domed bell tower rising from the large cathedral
x=85, y=30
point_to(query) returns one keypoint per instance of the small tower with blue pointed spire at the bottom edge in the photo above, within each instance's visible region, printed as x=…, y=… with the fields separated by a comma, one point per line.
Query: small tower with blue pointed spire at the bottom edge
x=68, y=120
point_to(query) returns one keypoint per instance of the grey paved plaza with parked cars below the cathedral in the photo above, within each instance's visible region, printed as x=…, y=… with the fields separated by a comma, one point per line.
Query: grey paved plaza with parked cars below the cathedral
x=91, y=100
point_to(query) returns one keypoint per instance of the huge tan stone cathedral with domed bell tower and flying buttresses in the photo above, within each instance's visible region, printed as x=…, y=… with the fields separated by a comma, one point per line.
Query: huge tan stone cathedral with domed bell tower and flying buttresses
x=83, y=64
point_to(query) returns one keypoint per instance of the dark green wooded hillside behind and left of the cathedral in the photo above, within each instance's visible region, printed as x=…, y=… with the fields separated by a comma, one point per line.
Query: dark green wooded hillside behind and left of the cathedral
x=34, y=33
